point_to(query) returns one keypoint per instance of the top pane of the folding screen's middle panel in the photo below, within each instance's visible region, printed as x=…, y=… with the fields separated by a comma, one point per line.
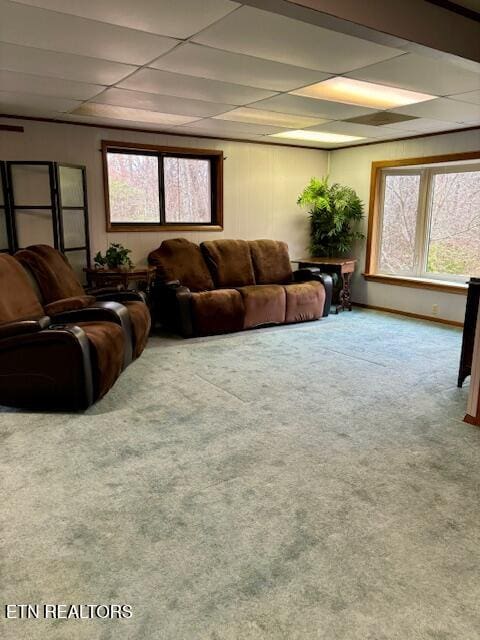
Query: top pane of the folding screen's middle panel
x=31, y=185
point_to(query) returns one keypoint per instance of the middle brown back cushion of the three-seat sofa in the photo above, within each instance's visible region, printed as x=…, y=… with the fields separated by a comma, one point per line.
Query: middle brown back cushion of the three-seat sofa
x=230, y=262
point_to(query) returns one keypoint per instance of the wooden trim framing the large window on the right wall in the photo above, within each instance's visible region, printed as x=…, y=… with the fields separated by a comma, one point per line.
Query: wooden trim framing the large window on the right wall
x=373, y=223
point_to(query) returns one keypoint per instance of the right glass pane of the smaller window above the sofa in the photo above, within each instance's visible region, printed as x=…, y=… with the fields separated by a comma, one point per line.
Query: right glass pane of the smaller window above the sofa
x=187, y=190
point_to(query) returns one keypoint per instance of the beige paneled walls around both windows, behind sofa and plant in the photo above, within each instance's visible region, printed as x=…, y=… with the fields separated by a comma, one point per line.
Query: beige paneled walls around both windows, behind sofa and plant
x=261, y=185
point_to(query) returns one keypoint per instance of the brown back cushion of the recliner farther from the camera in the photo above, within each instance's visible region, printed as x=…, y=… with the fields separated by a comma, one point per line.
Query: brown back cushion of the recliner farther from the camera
x=55, y=277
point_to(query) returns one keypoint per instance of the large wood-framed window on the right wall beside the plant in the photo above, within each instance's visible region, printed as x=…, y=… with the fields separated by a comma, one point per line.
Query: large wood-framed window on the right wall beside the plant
x=425, y=221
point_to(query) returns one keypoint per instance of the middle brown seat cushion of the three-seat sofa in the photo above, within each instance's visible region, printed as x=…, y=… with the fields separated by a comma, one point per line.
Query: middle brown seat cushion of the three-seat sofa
x=264, y=304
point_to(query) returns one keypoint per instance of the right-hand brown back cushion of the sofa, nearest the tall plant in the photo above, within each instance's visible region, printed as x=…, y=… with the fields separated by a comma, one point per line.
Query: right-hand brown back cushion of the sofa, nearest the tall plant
x=271, y=262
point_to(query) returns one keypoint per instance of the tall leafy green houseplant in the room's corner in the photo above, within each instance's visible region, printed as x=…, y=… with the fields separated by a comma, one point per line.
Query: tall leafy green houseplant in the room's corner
x=335, y=210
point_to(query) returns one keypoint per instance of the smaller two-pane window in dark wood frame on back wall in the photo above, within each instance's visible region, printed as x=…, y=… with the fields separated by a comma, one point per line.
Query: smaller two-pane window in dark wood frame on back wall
x=151, y=188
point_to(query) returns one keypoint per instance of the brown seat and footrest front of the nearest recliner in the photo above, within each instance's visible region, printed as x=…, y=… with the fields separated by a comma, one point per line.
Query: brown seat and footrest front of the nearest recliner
x=107, y=346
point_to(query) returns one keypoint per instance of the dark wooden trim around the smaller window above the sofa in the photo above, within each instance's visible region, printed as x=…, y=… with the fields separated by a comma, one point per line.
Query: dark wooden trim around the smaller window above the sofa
x=217, y=183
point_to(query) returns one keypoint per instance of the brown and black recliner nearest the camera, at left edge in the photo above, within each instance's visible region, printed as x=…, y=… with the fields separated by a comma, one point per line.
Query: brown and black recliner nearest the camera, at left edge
x=45, y=366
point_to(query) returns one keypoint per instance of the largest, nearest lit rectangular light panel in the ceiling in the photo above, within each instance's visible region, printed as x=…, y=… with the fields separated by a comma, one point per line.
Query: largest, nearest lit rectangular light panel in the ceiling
x=362, y=94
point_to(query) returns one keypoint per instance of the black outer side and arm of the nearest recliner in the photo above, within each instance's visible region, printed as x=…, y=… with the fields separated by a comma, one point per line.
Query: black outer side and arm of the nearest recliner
x=47, y=369
